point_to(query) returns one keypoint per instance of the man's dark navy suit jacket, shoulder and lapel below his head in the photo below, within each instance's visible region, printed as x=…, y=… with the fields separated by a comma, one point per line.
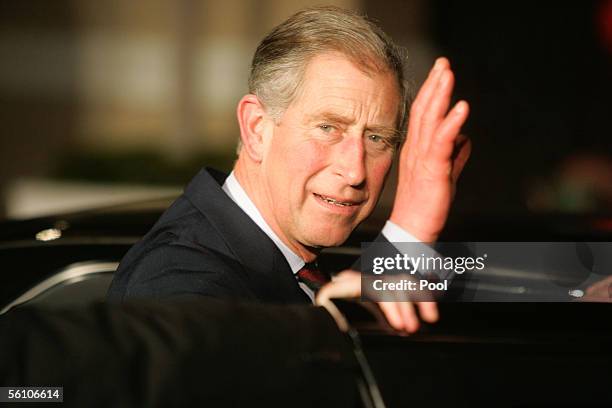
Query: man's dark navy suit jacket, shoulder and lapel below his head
x=204, y=244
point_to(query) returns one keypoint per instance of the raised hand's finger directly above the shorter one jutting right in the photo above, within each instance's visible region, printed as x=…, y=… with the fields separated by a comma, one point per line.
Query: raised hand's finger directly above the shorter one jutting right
x=436, y=111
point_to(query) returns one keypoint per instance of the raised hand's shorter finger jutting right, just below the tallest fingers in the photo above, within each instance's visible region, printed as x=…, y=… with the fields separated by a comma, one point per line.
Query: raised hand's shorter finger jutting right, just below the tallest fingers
x=443, y=144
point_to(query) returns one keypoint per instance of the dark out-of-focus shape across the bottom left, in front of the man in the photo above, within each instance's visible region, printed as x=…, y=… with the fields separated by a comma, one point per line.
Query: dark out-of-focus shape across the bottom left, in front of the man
x=188, y=353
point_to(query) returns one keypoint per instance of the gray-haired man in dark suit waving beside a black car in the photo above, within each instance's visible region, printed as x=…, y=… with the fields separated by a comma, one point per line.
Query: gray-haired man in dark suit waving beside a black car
x=323, y=120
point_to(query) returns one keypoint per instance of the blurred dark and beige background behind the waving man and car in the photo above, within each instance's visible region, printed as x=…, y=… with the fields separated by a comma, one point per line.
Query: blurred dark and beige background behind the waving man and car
x=110, y=101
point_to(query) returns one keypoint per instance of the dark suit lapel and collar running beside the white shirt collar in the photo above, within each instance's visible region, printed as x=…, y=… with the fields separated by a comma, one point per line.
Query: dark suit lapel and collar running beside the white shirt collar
x=267, y=269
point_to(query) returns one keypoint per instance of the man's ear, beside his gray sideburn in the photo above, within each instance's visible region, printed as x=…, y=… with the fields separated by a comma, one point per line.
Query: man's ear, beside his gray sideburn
x=251, y=118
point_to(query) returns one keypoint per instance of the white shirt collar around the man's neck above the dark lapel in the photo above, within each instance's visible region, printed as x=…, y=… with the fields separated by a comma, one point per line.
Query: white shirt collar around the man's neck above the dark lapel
x=235, y=191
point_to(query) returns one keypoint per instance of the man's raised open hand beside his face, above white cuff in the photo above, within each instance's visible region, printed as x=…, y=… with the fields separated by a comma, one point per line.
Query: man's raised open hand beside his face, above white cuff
x=432, y=157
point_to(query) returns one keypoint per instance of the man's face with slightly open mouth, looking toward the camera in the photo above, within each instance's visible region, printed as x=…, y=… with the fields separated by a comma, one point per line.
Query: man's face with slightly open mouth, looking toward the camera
x=326, y=159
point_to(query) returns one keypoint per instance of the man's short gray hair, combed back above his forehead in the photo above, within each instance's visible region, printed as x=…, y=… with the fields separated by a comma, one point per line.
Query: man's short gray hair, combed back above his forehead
x=280, y=60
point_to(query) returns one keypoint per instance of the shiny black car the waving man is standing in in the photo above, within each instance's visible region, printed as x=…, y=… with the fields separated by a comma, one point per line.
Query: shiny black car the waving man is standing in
x=488, y=354
